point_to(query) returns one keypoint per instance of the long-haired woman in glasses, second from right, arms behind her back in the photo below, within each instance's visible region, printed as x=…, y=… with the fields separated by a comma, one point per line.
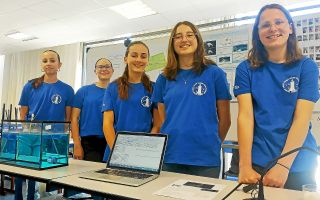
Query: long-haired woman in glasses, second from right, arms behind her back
x=194, y=105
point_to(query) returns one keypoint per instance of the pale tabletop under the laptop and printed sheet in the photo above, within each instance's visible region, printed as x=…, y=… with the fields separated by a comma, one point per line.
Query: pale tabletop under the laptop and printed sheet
x=146, y=191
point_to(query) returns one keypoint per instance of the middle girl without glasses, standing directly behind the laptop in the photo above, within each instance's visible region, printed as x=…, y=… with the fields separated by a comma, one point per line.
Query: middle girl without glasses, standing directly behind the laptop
x=126, y=103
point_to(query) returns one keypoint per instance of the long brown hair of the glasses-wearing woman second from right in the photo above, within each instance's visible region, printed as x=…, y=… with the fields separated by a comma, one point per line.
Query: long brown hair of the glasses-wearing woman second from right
x=200, y=61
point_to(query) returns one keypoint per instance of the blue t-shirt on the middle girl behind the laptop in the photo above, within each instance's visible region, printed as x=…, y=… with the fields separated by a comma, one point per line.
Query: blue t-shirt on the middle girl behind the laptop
x=133, y=114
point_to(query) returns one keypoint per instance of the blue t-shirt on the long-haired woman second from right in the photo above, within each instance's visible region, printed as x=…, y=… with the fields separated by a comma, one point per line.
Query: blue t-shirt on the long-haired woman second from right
x=191, y=115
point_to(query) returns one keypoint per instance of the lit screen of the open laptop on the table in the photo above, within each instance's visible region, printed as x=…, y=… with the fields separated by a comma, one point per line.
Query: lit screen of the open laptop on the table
x=138, y=151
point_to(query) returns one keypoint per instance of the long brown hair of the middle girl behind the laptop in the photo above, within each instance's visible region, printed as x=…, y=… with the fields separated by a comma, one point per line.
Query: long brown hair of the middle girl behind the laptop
x=123, y=81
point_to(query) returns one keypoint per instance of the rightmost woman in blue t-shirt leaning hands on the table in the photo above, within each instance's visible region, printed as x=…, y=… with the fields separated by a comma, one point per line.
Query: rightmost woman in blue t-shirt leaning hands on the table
x=276, y=89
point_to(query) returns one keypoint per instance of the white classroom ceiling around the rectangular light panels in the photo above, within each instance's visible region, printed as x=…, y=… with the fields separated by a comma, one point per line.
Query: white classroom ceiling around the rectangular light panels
x=58, y=22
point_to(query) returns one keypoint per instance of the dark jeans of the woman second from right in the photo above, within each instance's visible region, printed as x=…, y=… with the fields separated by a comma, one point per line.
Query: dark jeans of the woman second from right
x=212, y=172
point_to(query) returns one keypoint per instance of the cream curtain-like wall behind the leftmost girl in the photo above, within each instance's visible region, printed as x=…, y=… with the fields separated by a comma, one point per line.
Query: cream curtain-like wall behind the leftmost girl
x=23, y=66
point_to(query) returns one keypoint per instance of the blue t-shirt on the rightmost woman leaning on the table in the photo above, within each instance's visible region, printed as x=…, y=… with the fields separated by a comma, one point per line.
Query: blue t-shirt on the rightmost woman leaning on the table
x=275, y=89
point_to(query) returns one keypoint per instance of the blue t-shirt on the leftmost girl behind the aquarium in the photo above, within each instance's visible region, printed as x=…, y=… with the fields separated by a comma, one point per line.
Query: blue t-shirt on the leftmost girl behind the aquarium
x=48, y=102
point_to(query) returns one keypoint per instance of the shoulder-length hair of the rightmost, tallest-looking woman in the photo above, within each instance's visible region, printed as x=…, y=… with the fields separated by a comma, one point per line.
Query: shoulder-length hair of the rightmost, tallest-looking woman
x=258, y=54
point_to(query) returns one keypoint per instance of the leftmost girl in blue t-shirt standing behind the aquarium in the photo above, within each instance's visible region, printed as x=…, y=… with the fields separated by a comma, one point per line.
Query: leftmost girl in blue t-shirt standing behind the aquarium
x=44, y=98
